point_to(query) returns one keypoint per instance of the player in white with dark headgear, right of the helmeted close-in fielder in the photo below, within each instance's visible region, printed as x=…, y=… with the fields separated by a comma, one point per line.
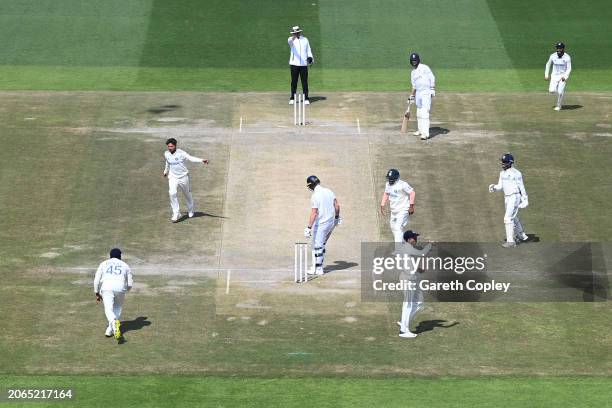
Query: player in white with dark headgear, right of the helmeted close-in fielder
x=511, y=183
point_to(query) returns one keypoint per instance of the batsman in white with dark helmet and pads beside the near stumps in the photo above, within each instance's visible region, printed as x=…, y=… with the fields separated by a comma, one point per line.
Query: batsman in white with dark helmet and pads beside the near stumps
x=324, y=216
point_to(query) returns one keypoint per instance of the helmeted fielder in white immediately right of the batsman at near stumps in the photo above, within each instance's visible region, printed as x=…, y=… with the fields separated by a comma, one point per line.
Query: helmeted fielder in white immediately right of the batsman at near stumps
x=401, y=197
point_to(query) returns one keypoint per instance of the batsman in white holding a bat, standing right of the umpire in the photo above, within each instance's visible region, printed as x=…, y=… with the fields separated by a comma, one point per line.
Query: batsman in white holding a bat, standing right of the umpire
x=423, y=89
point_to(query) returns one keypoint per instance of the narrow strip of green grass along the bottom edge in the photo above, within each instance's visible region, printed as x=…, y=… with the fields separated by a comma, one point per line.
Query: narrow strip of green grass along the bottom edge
x=187, y=391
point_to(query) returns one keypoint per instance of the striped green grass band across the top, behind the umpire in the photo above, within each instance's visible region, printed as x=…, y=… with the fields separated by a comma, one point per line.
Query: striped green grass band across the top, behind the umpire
x=472, y=45
